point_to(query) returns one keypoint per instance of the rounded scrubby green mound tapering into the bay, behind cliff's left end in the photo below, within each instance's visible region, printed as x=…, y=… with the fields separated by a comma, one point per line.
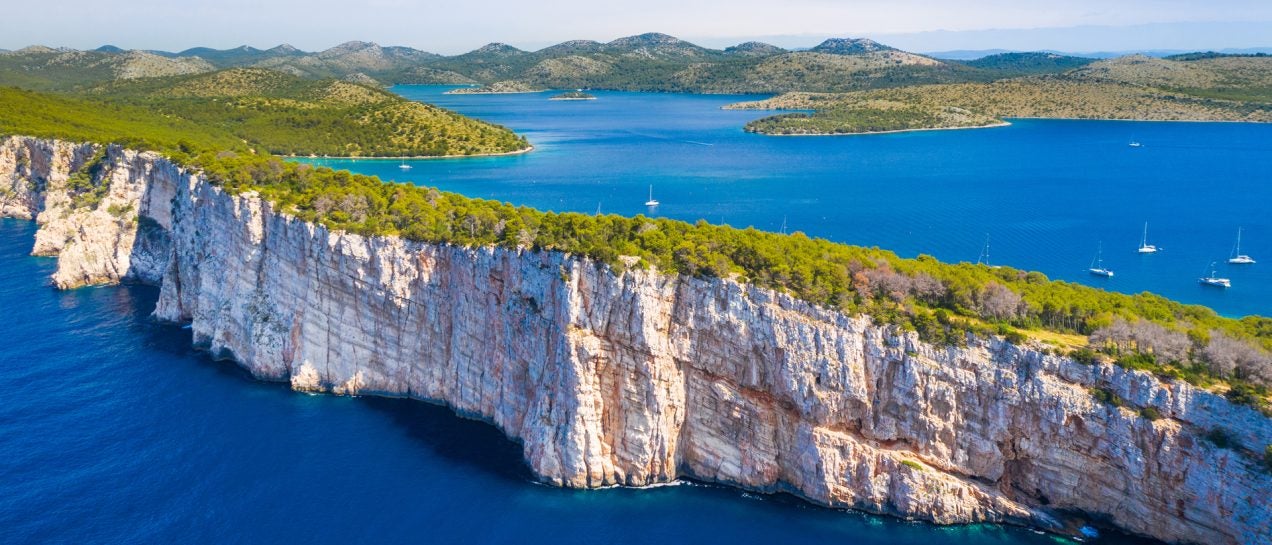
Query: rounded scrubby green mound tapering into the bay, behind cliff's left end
x=283, y=114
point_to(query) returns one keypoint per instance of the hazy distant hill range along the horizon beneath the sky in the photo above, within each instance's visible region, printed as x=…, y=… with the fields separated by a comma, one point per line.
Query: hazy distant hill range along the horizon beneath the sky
x=651, y=62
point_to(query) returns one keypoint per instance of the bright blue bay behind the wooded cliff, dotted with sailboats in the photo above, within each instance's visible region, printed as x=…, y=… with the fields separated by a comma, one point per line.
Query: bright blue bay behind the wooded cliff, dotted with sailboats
x=1046, y=193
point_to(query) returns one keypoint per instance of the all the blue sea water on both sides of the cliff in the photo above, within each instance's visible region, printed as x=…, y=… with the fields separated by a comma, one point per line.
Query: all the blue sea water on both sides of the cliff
x=113, y=431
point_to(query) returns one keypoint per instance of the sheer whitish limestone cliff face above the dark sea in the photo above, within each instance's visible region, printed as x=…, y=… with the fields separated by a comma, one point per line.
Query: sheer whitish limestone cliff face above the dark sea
x=634, y=378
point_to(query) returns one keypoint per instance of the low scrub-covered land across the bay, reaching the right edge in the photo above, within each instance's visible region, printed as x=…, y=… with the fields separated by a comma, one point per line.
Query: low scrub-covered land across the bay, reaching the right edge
x=1206, y=88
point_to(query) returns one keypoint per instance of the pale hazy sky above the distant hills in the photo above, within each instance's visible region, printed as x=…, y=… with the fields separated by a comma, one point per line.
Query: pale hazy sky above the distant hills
x=457, y=26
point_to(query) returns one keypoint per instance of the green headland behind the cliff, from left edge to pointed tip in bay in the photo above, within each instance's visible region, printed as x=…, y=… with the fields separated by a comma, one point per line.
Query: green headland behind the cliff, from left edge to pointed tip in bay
x=263, y=110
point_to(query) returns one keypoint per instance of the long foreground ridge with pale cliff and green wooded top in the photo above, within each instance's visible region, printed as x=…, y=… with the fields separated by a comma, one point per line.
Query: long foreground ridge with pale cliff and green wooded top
x=640, y=351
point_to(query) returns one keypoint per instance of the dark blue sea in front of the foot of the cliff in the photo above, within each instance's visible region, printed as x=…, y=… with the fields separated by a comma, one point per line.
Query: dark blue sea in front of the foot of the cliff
x=113, y=430
